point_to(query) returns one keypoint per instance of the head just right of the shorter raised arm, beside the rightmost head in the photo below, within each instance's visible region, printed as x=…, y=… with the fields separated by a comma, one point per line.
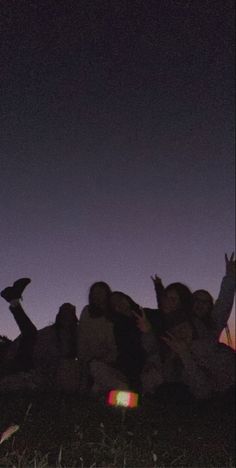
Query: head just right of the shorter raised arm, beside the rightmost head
x=175, y=297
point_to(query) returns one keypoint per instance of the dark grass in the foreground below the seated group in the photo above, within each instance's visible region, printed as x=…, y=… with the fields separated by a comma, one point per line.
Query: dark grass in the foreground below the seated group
x=67, y=431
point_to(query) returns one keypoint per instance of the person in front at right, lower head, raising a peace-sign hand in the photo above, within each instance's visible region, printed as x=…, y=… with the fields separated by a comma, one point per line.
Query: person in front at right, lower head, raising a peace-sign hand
x=202, y=367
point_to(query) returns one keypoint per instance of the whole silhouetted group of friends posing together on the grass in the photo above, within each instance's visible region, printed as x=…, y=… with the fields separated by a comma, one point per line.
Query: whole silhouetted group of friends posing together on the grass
x=117, y=344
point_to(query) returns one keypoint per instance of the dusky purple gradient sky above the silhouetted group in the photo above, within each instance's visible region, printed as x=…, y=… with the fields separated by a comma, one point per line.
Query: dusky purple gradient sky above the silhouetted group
x=117, y=148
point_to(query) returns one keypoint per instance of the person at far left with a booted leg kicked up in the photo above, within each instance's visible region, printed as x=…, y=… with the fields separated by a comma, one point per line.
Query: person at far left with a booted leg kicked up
x=37, y=353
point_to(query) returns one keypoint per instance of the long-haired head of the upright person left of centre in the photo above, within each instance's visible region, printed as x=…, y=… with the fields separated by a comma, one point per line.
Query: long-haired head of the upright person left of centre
x=99, y=297
